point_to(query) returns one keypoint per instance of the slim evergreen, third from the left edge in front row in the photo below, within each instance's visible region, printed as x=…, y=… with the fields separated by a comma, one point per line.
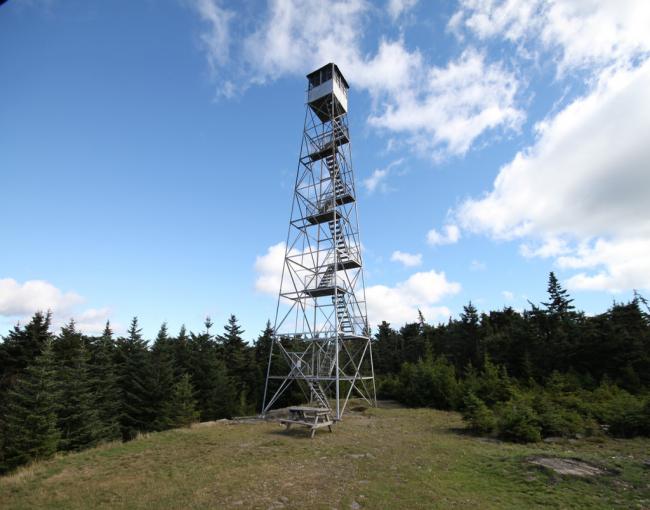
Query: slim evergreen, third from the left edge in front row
x=105, y=385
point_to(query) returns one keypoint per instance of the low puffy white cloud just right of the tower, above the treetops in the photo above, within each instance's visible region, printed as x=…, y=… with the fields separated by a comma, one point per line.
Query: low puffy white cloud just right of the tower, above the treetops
x=400, y=304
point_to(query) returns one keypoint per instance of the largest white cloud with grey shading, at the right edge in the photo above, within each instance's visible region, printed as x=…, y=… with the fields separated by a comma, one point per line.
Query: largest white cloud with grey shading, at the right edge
x=582, y=189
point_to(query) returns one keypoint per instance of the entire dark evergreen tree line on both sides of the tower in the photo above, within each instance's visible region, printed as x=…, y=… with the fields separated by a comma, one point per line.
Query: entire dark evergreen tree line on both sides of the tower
x=547, y=370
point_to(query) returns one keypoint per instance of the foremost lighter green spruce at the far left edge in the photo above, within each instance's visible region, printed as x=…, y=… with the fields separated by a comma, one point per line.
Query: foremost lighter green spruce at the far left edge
x=30, y=422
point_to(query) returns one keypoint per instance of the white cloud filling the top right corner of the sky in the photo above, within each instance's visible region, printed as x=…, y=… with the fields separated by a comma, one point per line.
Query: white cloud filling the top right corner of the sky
x=585, y=33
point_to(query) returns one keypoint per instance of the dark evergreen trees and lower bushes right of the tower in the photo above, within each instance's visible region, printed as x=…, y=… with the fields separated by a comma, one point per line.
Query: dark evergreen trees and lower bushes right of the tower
x=549, y=371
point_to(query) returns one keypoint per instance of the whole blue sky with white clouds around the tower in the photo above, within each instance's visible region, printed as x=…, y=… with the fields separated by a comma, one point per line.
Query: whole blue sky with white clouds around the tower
x=148, y=150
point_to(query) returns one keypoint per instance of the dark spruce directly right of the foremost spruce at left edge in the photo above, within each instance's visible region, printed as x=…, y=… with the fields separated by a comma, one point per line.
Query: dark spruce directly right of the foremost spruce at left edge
x=78, y=418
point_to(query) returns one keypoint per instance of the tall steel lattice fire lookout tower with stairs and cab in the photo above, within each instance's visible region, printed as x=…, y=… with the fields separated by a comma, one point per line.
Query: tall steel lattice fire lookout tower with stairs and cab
x=321, y=329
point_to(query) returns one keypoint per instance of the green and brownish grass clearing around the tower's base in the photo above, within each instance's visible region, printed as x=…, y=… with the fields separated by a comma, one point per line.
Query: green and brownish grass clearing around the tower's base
x=385, y=458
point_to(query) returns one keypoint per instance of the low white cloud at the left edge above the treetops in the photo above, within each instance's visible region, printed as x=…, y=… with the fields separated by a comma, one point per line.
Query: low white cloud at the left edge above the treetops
x=18, y=299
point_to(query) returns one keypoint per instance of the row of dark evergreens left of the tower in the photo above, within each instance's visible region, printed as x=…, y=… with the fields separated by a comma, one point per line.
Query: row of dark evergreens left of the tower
x=71, y=391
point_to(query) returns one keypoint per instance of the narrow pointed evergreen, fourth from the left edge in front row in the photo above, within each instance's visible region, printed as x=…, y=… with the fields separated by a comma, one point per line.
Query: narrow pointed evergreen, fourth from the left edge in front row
x=137, y=382
